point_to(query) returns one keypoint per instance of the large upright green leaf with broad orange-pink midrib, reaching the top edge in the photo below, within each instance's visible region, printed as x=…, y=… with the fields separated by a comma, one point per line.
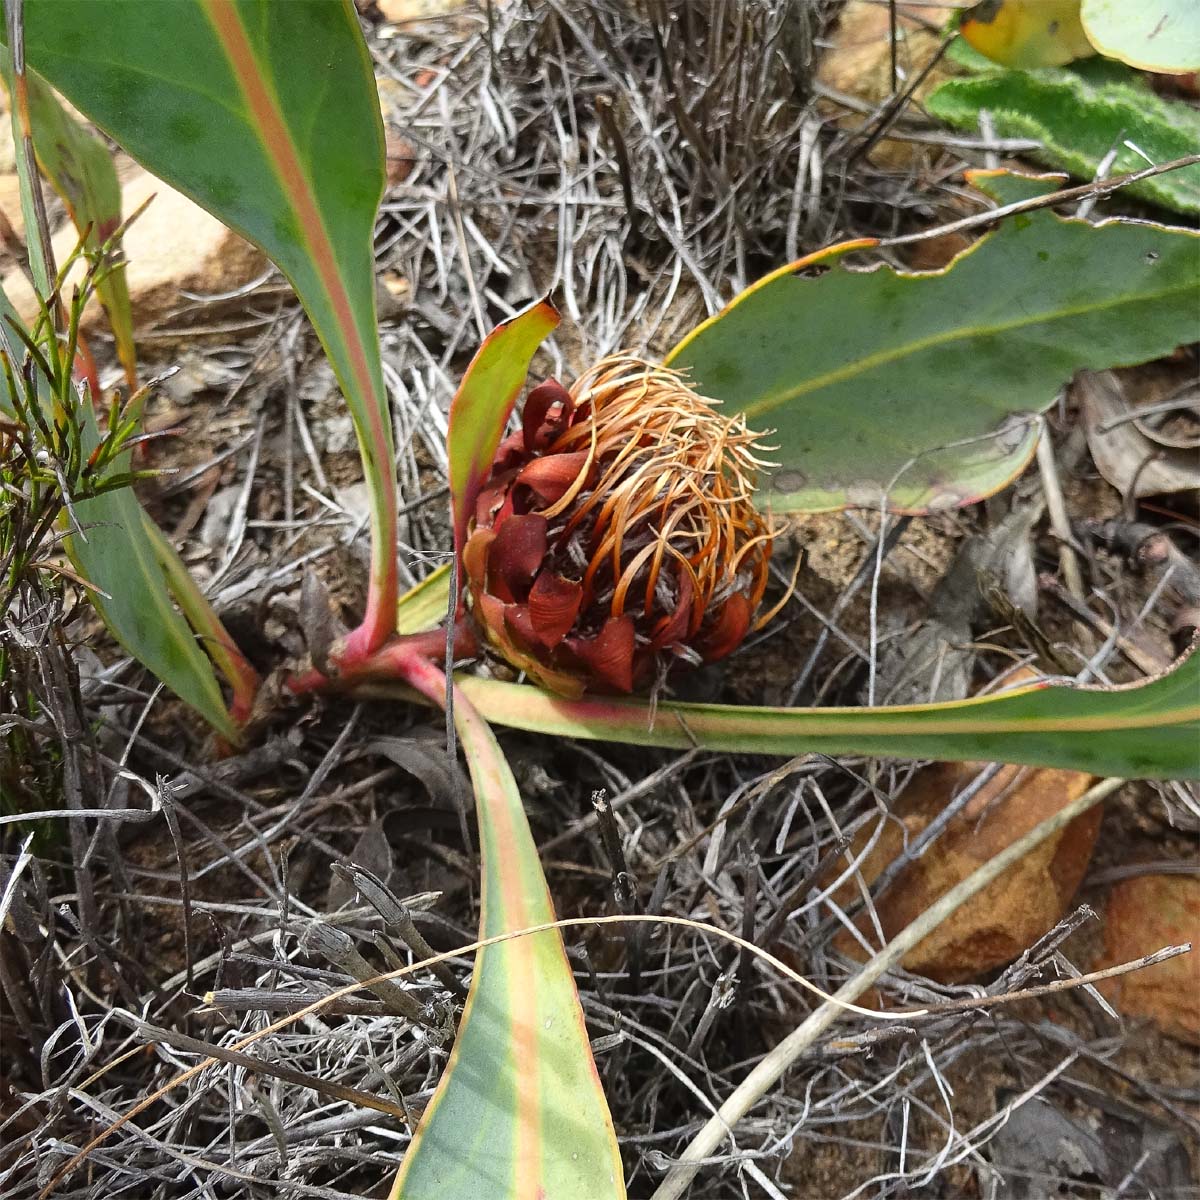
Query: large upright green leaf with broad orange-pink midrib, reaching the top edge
x=267, y=116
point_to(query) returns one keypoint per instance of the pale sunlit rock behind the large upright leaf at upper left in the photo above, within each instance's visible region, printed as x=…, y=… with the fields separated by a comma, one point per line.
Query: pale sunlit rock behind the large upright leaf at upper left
x=173, y=247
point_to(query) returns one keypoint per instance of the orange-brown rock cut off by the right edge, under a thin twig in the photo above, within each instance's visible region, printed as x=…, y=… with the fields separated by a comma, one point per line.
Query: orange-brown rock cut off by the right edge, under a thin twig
x=1144, y=915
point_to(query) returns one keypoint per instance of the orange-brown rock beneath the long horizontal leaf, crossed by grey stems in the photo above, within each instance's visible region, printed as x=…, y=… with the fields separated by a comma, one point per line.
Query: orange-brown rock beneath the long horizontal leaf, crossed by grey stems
x=1019, y=907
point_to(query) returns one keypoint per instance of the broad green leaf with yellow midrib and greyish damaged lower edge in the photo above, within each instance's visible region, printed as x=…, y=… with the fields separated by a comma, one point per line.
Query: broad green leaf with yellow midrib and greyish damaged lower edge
x=921, y=388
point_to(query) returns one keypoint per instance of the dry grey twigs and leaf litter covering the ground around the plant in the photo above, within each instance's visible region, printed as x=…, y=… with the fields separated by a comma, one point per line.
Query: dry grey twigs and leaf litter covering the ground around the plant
x=645, y=232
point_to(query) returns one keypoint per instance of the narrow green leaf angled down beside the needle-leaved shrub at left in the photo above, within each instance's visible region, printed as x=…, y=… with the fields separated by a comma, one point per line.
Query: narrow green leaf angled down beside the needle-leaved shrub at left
x=121, y=562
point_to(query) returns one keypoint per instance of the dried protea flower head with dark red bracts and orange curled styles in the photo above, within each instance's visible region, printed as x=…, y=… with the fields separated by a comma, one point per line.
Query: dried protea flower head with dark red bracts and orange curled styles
x=616, y=535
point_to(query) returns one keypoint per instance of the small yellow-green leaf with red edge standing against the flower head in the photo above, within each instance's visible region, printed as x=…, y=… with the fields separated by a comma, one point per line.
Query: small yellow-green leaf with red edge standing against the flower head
x=484, y=401
